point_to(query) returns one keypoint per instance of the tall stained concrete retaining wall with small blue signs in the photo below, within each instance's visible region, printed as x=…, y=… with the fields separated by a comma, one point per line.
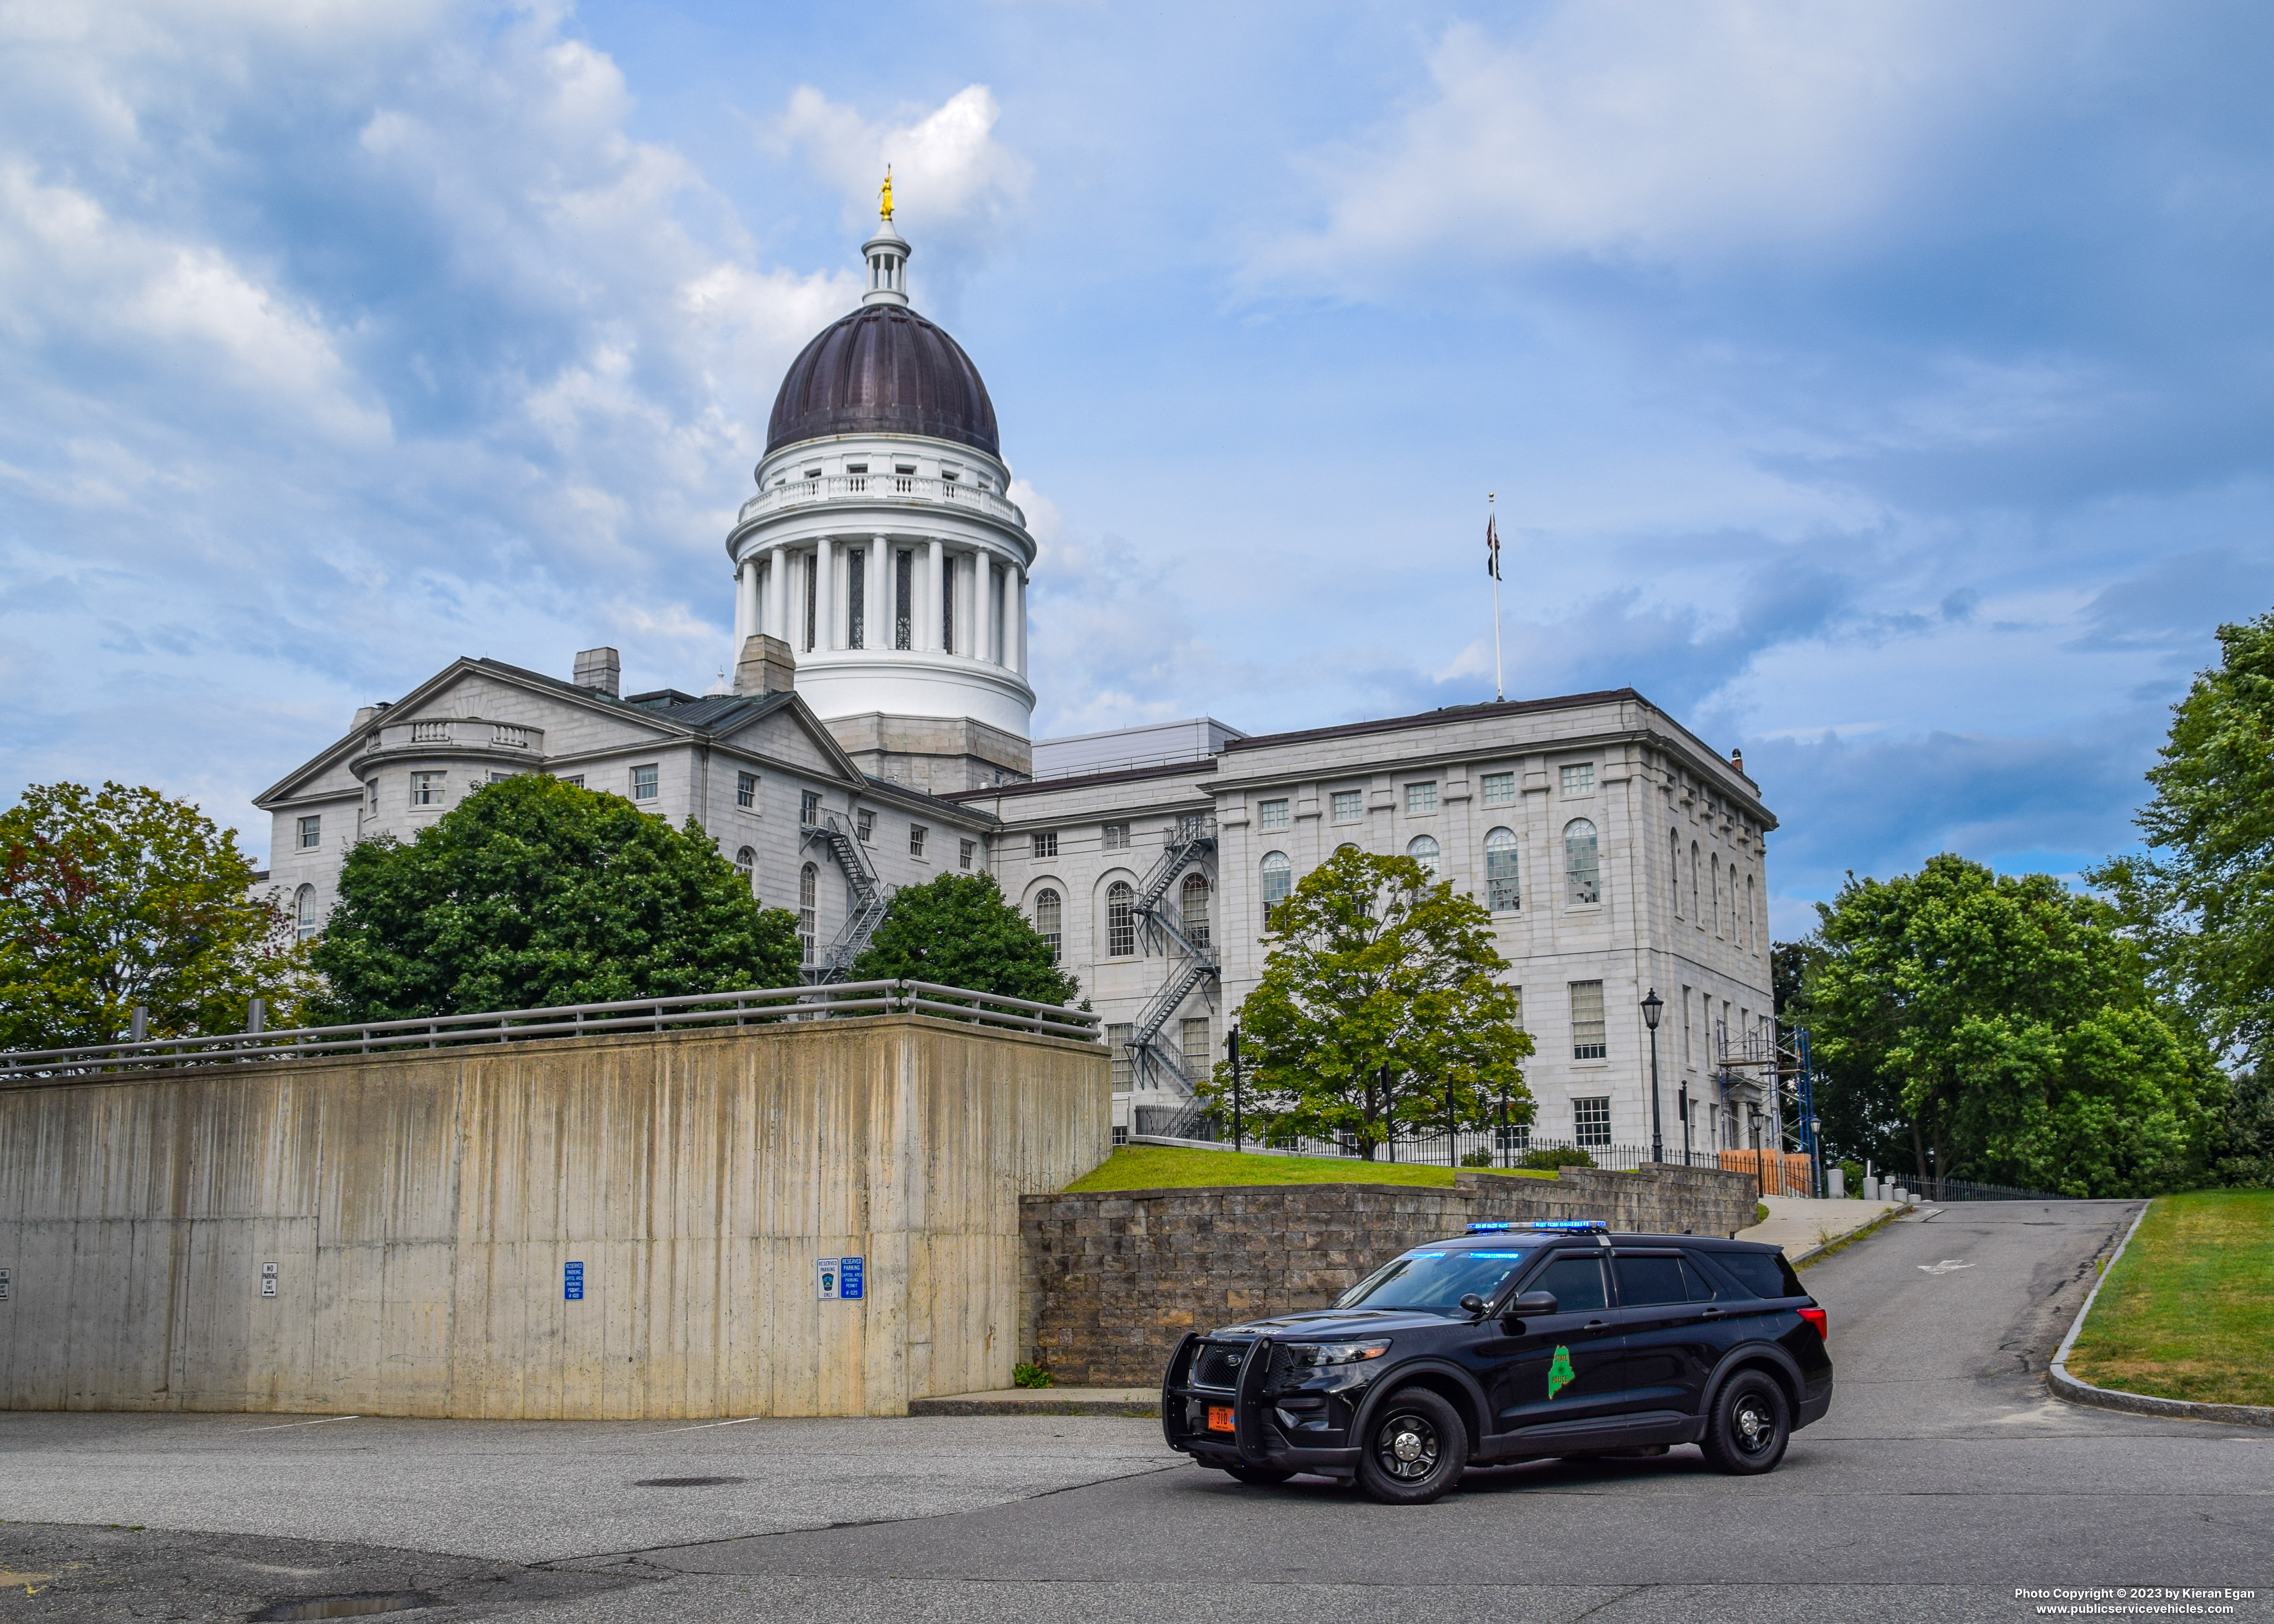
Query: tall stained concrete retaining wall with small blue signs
x=420, y=1211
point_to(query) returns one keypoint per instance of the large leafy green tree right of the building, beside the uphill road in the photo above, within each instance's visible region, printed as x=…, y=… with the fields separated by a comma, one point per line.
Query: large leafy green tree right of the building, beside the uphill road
x=2014, y=1029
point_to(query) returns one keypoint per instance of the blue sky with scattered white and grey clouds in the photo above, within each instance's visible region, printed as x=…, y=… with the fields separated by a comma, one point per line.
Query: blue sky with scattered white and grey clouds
x=1879, y=388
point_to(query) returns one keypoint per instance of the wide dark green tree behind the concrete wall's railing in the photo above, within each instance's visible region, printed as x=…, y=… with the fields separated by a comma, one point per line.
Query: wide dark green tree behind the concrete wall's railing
x=536, y=893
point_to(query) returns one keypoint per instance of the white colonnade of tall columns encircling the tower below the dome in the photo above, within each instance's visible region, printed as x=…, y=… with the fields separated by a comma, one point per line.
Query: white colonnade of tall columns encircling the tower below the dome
x=963, y=602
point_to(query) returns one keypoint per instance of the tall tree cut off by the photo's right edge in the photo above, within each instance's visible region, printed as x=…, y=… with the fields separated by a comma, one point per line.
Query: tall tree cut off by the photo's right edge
x=2202, y=900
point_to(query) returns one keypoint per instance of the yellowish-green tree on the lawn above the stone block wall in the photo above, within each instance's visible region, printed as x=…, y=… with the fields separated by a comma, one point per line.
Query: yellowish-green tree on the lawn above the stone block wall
x=1379, y=1004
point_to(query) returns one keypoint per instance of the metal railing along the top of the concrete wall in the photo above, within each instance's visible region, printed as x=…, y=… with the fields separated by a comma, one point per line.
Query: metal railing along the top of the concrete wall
x=756, y=1006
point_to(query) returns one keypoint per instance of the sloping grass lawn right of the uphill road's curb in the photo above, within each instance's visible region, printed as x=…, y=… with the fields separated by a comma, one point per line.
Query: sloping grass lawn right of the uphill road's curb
x=2189, y=1311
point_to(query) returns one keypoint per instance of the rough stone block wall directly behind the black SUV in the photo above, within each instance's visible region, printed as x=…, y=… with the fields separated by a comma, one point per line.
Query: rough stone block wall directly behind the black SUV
x=1111, y=1282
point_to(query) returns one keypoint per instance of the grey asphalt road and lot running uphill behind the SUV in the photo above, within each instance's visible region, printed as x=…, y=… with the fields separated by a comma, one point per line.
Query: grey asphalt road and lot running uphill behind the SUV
x=1941, y=1484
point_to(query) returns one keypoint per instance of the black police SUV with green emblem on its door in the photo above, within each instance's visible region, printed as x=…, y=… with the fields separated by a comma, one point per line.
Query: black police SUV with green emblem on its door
x=1513, y=1343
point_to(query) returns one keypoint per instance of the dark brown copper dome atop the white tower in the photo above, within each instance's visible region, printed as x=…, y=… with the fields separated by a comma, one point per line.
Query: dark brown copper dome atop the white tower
x=883, y=372
